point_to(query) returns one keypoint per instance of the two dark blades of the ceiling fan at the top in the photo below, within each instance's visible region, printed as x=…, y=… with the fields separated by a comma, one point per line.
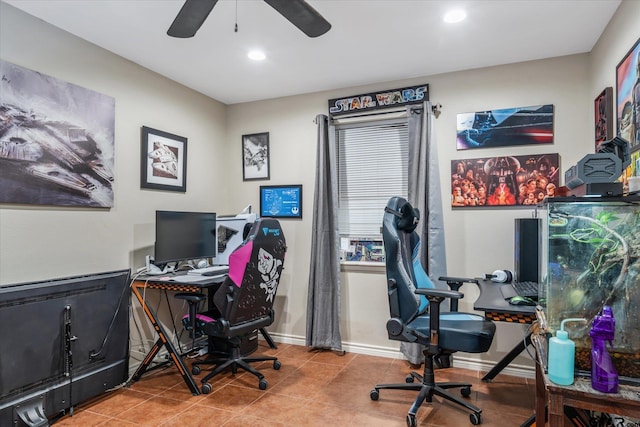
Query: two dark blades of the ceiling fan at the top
x=298, y=12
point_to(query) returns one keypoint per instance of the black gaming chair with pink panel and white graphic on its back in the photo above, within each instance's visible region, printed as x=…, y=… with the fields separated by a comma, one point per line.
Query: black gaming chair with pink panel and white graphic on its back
x=244, y=301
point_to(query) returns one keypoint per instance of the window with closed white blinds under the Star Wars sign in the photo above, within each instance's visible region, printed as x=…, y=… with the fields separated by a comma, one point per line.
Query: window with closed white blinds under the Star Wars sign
x=372, y=167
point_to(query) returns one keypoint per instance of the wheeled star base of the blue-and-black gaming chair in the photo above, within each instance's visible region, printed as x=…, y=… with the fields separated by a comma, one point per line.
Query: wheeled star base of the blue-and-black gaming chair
x=426, y=390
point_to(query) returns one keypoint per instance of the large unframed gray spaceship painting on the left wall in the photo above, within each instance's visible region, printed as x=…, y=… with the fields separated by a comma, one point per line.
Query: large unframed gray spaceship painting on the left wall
x=56, y=141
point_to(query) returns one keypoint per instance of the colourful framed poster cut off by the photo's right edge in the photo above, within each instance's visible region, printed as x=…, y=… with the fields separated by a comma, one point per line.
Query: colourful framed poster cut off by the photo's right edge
x=628, y=97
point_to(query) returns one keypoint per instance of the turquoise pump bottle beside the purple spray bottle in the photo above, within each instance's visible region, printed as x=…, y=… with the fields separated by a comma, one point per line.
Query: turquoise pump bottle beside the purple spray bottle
x=562, y=353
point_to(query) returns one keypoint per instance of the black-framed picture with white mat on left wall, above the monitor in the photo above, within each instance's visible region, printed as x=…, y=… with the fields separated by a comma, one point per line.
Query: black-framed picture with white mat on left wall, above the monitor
x=163, y=161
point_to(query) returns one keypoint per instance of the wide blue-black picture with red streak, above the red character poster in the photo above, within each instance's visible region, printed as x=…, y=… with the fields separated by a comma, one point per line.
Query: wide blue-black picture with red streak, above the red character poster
x=505, y=127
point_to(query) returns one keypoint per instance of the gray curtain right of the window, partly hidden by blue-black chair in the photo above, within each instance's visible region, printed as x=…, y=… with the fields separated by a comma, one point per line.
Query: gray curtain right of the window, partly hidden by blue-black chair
x=425, y=194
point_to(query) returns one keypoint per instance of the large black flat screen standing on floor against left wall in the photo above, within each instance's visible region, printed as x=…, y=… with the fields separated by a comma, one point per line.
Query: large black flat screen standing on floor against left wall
x=64, y=341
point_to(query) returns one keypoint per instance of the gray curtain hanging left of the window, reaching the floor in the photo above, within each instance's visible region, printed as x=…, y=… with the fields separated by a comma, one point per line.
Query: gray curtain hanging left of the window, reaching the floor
x=323, y=300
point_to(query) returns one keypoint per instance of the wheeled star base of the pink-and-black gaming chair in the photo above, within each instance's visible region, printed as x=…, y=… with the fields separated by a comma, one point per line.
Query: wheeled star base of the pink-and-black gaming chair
x=233, y=361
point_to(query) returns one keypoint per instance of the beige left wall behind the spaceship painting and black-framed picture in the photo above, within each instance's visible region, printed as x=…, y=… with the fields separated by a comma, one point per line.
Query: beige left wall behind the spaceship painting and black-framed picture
x=46, y=242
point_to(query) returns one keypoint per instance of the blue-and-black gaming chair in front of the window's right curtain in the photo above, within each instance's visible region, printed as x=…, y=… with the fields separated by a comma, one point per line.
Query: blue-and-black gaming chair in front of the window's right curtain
x=415, y=313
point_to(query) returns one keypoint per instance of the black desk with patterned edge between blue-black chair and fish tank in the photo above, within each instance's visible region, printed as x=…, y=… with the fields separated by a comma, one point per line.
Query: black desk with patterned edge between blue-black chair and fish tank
x=496, y=308
